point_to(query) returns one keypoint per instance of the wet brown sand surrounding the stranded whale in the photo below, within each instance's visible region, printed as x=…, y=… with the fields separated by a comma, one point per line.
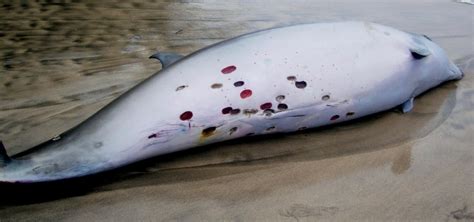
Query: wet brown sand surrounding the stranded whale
x=63, y=62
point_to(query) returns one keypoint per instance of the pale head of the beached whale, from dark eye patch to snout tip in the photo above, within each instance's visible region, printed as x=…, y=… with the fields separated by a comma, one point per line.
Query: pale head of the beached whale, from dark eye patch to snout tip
x=432, y=63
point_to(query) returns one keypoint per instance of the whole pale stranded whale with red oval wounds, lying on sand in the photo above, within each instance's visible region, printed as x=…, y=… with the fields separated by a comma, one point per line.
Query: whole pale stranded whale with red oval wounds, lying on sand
x=278, y=80
